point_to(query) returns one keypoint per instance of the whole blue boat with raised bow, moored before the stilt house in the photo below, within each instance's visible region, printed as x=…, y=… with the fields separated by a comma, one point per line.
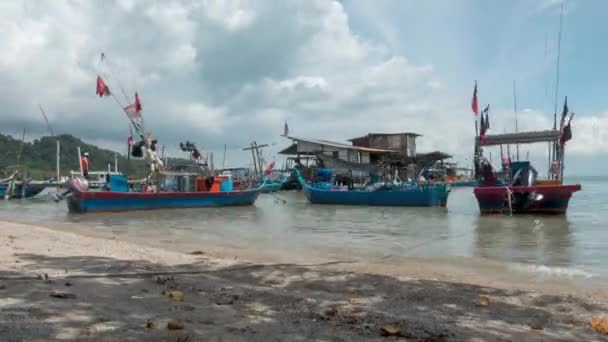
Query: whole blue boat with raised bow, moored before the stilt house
x=405, y=195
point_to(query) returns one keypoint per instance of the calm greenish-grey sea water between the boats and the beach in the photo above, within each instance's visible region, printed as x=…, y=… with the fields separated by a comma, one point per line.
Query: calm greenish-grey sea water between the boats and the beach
x=575, y=245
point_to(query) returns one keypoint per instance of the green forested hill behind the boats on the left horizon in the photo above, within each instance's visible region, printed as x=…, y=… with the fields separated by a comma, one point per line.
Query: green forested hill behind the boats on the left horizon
x=39, y=157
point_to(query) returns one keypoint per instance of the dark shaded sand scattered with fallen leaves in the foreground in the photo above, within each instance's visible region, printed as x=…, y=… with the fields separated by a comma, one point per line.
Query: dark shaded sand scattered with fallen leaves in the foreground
x=285, y=303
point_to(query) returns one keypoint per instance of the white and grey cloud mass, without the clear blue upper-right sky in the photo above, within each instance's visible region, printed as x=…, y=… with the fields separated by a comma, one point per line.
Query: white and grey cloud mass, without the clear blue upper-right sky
x=231, y=72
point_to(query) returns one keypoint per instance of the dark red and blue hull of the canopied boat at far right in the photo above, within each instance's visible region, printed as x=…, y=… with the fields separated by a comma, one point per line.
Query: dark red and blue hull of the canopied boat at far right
x=555, y=199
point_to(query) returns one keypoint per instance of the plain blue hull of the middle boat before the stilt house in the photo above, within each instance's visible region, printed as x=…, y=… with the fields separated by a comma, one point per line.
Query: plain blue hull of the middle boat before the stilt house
x=433, y=196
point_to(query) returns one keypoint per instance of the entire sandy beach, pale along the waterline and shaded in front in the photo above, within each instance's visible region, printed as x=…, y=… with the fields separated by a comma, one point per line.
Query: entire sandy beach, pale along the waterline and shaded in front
x=58, y=285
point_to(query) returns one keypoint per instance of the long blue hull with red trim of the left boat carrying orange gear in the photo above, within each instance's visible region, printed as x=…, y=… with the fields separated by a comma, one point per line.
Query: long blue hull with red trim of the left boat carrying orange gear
x=96, y=201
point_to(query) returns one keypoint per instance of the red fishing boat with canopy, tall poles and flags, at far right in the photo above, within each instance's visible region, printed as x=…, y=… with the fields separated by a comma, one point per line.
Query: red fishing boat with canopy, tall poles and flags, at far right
x=523, y=193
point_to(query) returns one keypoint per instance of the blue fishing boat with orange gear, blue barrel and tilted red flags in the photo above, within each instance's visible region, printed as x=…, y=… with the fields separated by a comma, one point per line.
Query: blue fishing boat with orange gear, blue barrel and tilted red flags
x=163, y=188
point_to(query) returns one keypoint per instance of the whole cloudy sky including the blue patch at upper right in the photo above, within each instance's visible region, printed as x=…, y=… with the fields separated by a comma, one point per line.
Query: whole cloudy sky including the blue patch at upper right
x=230, y=71
